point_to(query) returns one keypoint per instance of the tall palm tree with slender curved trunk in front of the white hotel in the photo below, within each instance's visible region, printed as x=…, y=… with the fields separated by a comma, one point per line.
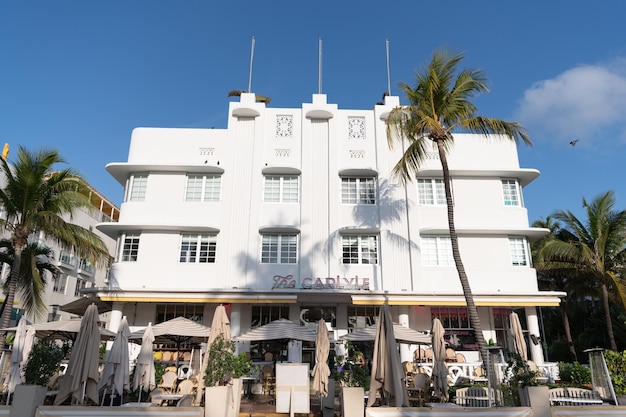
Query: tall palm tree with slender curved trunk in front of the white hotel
x=439, y=106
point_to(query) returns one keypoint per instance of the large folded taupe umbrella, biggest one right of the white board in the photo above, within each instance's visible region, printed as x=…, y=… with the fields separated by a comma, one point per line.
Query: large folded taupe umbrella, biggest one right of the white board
x=387, y=373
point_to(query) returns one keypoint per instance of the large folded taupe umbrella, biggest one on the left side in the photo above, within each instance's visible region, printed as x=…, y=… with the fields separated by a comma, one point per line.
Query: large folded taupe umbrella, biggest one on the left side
x=81, y=378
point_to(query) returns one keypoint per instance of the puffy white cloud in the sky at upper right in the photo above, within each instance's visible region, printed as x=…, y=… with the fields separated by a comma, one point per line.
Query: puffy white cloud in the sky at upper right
x=582, y=102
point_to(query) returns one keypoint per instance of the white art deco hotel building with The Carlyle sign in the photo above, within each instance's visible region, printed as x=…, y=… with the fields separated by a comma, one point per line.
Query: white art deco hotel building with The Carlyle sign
x=293, y=213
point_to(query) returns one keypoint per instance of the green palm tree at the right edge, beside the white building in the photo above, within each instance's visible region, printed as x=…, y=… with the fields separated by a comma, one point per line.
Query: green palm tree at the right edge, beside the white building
x=593, y=249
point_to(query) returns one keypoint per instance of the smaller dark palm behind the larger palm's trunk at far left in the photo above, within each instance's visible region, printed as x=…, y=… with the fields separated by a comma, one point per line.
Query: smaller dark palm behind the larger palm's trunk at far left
x=36, y=260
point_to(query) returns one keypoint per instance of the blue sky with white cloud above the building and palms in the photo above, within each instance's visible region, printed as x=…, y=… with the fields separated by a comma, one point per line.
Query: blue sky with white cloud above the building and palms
x=78, y=76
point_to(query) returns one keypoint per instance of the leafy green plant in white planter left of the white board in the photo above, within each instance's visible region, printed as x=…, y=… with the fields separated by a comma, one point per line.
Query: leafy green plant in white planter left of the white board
x=222, y=378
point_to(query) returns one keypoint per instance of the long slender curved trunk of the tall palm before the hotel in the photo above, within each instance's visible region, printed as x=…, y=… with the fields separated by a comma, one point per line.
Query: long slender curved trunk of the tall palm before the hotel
x=472, y=311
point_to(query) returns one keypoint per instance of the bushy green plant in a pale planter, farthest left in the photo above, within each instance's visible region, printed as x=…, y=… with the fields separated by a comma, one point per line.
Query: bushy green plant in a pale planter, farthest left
x=43, y=363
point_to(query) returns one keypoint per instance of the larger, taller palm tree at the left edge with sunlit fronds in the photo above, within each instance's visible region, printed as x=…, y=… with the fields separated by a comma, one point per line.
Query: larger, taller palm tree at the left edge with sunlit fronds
x=35, y=199
